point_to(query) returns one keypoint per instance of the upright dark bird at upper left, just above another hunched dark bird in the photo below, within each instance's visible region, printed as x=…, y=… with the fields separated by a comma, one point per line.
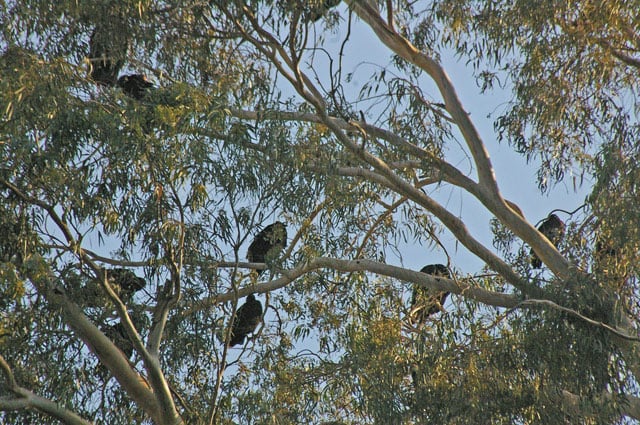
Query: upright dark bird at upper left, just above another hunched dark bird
x=106, y=54
